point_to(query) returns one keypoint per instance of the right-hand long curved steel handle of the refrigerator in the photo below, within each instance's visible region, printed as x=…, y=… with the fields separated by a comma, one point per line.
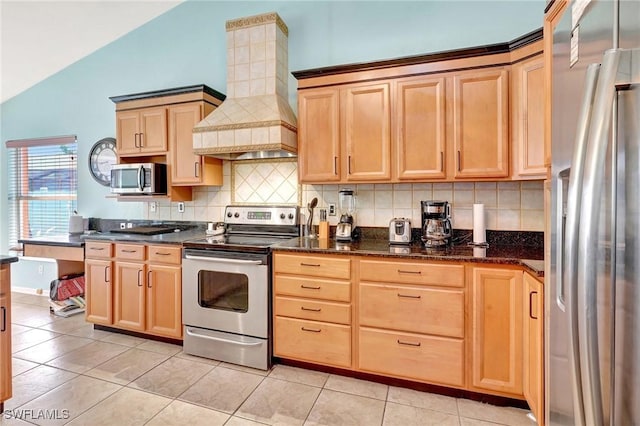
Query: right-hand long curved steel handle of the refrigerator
x=599, y=132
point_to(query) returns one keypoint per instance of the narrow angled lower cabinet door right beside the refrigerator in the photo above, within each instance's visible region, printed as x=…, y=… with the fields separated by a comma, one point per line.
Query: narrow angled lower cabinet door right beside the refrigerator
x=533, y=346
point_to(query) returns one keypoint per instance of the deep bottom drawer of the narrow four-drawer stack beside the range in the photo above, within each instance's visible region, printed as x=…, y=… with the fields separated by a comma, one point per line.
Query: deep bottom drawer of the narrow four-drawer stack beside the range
x=313, y=341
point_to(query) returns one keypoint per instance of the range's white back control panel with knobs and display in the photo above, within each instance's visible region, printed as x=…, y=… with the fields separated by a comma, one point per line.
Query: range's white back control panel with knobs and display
x=261, y=215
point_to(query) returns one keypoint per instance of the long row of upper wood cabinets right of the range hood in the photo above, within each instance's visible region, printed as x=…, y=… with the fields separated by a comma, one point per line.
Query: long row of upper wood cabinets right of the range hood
x=442, y=117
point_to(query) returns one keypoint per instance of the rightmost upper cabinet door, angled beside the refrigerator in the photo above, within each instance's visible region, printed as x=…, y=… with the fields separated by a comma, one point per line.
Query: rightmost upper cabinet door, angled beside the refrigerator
x=528, y=119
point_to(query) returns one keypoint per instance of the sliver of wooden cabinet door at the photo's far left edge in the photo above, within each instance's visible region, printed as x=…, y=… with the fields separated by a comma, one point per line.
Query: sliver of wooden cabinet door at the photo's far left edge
x=5, y=333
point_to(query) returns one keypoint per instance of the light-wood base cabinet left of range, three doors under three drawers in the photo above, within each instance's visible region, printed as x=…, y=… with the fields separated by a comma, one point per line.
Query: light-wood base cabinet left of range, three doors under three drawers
x=135, y=287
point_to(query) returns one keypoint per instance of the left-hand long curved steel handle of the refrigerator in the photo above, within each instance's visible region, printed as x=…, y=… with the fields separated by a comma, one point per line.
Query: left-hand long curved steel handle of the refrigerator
x=567, y=261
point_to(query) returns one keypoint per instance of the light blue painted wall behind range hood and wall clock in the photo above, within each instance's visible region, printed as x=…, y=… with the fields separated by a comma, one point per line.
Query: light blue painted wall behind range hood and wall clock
x=187, y=45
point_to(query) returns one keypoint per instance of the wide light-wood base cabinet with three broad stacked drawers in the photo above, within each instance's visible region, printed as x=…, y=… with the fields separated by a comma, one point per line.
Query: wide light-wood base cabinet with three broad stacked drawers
x=391, y=295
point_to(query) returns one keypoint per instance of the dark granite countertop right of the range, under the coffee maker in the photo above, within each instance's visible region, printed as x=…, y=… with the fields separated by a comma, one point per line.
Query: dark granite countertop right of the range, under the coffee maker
x=532, y=258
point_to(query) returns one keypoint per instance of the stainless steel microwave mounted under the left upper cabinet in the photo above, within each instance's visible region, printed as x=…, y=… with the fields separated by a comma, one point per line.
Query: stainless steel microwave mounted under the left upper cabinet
x=139, y=179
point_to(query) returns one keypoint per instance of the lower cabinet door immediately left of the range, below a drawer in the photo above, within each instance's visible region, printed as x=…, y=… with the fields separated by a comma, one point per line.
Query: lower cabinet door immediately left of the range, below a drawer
x=164, y=300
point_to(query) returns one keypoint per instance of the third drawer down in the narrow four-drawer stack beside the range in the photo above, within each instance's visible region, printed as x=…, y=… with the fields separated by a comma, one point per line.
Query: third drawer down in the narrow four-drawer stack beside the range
x=313, y=310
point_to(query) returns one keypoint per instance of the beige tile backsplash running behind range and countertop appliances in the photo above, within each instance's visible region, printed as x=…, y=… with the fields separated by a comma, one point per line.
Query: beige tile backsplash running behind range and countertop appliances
x=509, y=206
